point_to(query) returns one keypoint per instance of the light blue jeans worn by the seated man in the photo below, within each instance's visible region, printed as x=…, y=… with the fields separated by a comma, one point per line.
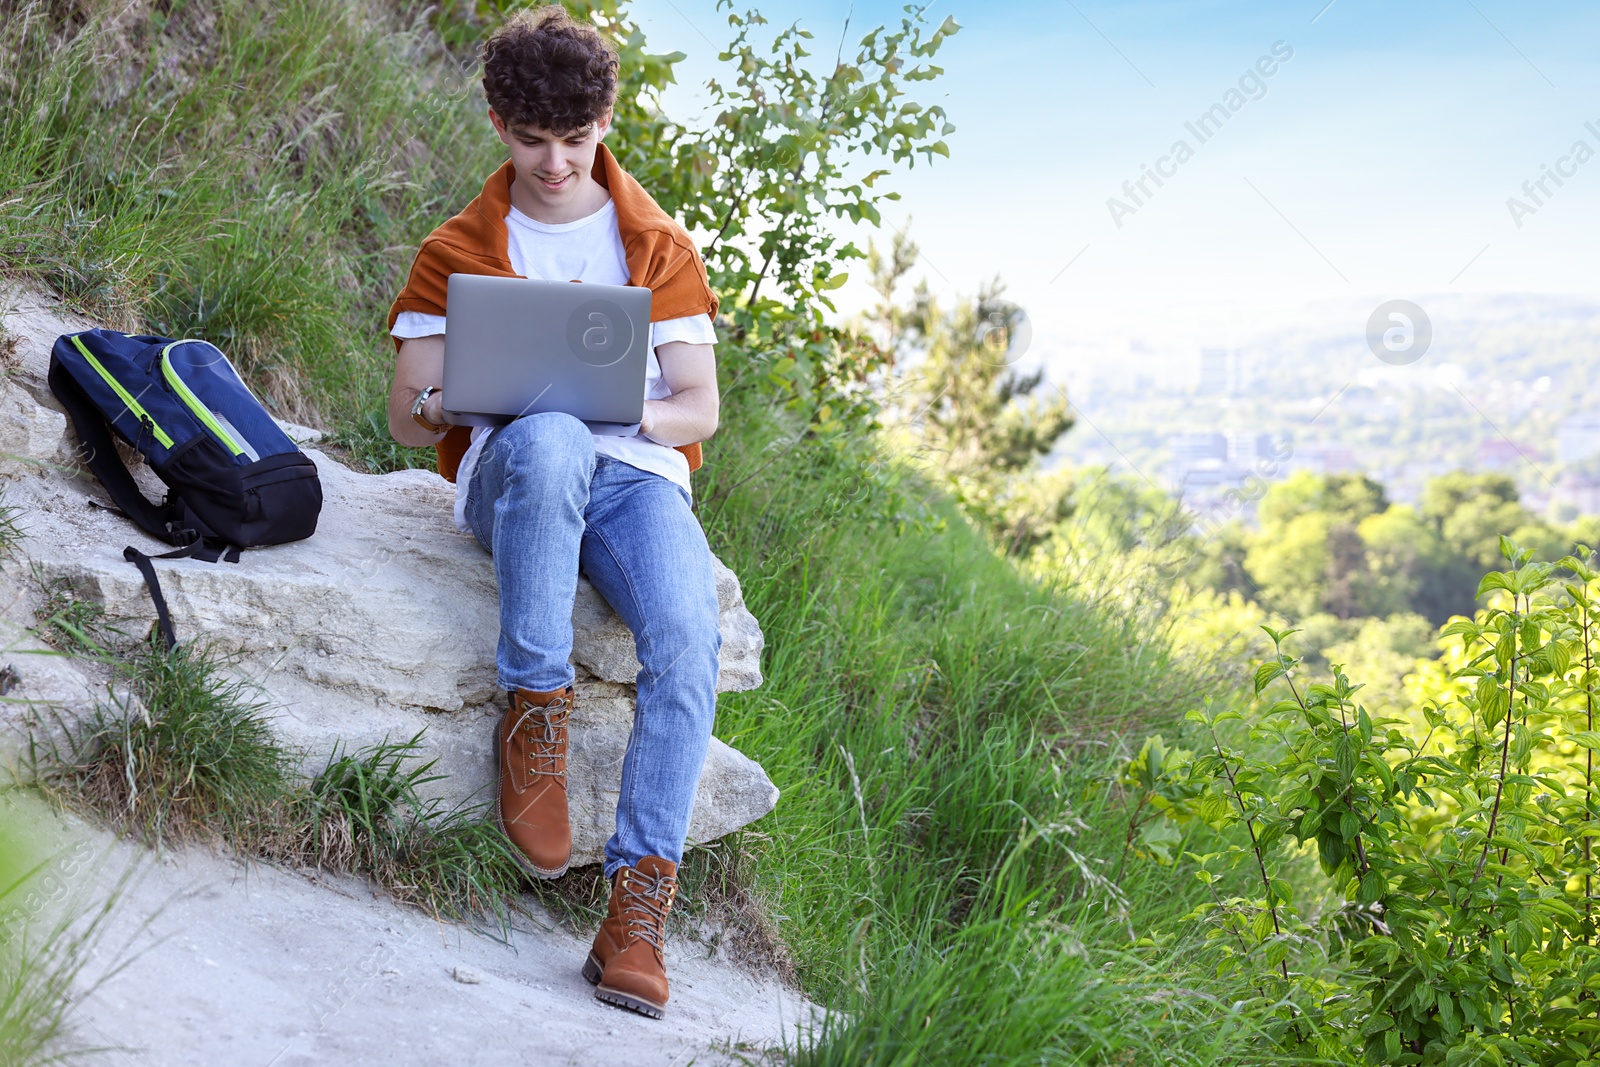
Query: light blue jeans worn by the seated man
x=548, y=508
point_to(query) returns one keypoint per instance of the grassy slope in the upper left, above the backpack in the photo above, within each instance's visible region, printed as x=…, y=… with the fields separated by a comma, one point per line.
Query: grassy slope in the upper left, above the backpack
x=257, y=175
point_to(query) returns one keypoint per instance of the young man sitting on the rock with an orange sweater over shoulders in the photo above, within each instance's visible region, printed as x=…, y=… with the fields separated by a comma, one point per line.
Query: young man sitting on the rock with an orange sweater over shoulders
x=550, y=502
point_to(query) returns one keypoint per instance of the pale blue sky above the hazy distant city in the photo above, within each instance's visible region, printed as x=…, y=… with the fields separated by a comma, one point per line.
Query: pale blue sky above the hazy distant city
x=1378, y=162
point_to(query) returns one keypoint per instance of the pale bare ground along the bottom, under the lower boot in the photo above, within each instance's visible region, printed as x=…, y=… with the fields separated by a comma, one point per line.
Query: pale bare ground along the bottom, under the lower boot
x=207, y=961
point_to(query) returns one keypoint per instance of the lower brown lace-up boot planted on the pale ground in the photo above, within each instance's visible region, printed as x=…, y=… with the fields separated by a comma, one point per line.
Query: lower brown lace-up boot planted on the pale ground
x=626, y=964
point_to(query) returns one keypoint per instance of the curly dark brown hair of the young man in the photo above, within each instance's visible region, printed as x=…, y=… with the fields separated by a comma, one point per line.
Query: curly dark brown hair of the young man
x=550, y=71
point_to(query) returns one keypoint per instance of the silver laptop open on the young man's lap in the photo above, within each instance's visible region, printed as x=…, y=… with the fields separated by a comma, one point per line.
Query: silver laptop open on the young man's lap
x=521, y=346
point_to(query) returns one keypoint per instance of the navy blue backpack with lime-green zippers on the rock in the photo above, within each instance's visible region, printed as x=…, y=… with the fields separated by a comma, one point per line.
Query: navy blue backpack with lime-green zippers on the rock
x=234, y=478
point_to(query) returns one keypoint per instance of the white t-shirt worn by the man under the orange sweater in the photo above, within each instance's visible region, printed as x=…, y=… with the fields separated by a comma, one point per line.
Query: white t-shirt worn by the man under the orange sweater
x=590, y=250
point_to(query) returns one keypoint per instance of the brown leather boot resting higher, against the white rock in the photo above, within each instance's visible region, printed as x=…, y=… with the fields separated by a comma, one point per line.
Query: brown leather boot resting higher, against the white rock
x=532, y=754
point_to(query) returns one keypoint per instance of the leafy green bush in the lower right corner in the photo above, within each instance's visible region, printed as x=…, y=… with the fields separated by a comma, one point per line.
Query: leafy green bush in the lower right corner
x=1458, y=844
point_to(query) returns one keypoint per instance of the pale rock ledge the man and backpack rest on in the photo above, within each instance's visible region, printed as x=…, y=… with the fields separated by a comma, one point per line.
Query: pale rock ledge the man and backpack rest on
x=382, y=625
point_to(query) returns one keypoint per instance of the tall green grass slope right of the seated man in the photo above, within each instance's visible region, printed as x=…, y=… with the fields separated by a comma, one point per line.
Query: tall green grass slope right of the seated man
x=945, y=735
